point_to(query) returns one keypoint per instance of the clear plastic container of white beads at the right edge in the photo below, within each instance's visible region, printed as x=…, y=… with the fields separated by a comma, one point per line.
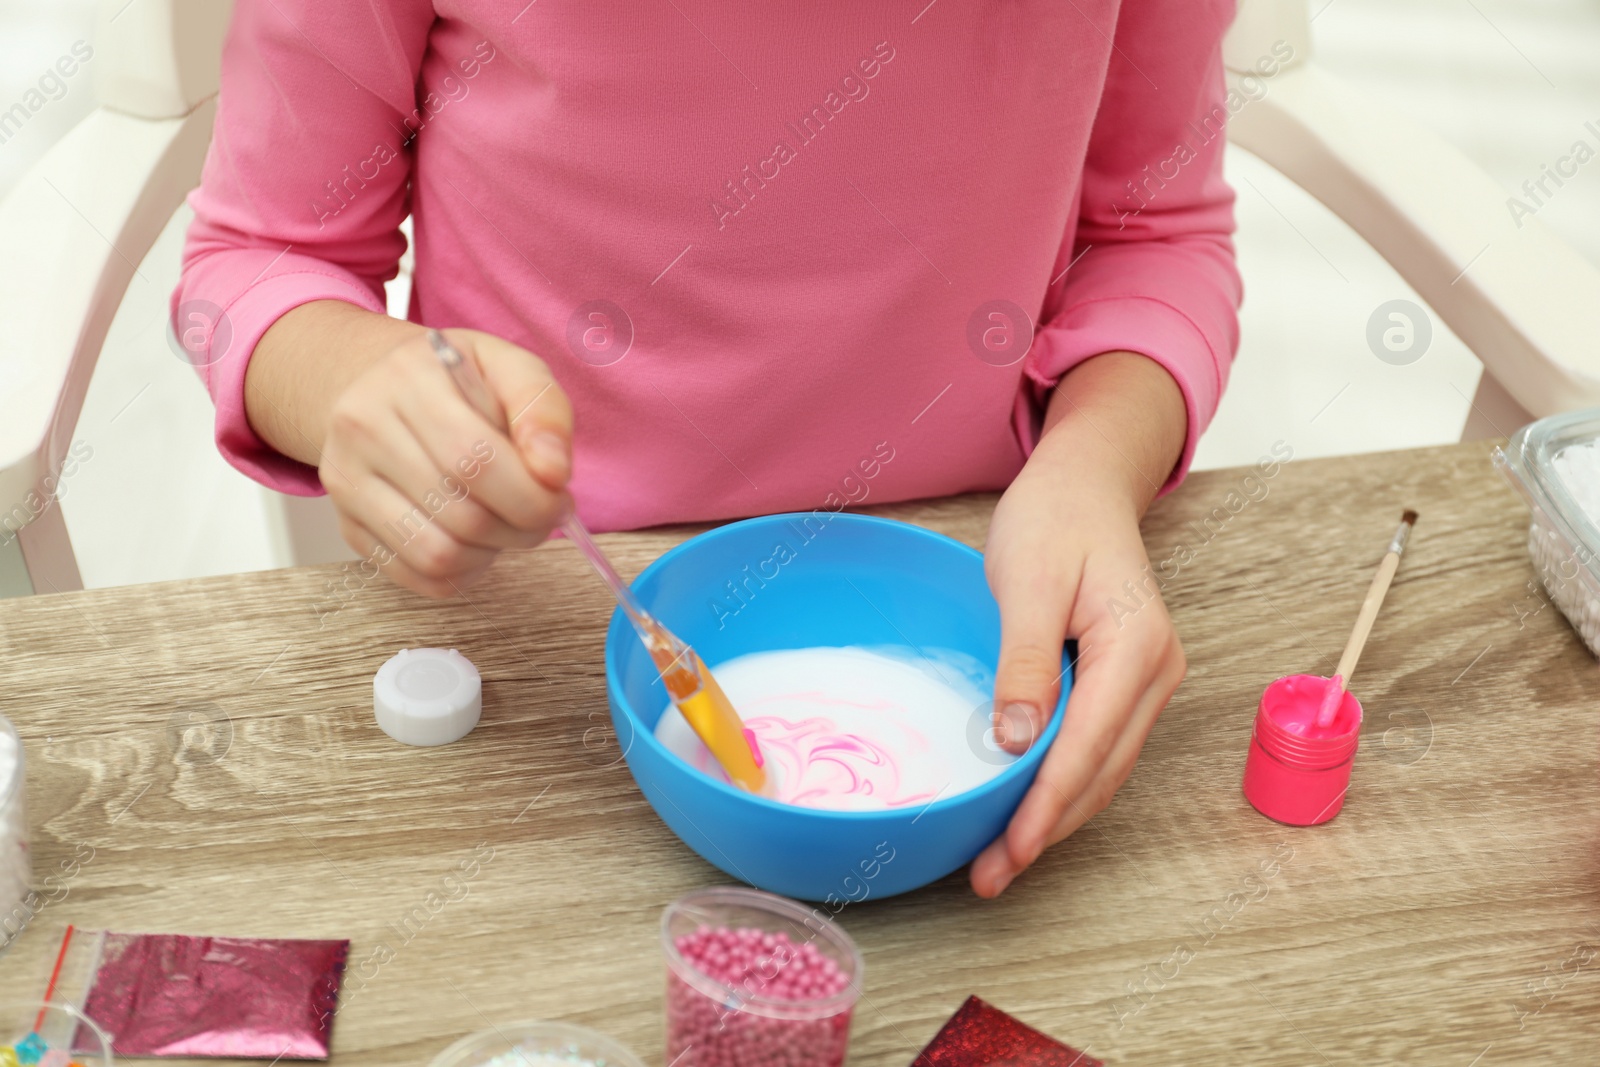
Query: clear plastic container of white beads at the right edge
x=1564, y=541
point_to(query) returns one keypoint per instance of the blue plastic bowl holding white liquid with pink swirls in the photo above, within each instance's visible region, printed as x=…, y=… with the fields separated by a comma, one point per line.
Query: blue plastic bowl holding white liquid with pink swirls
x=814, y=580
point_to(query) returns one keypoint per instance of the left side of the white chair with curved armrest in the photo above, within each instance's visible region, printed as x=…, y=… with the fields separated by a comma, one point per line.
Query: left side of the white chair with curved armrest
x=73, y=234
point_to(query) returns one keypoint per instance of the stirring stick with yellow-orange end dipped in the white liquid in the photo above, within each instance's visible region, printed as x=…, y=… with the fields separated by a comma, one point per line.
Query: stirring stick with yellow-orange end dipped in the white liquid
x=694, y=689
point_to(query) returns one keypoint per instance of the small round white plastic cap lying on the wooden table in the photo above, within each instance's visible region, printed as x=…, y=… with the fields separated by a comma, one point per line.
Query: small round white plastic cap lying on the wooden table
x=428, y=697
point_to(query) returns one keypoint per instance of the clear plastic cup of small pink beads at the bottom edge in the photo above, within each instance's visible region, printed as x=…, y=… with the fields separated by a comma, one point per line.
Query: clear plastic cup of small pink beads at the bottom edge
x=754, y=978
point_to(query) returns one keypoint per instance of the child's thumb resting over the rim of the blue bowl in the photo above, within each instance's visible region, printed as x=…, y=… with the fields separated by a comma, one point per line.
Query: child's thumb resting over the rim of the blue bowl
x=1028, y=681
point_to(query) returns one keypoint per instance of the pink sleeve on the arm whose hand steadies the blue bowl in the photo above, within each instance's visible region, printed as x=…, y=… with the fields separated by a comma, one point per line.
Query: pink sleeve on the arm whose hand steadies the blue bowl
x=1153, y=258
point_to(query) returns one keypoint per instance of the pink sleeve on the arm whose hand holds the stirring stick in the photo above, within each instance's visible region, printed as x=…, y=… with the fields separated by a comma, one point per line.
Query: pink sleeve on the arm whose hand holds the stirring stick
x=303, y=193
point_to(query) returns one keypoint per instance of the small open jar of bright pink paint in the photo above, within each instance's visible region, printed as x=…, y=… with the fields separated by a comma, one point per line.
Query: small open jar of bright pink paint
x=1298, y=772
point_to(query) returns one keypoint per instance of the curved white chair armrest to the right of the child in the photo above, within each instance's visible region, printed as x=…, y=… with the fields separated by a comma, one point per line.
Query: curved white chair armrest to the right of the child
x=1519, y=298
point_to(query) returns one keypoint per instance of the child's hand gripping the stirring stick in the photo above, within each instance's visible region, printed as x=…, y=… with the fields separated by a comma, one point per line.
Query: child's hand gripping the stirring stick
x=425, y=486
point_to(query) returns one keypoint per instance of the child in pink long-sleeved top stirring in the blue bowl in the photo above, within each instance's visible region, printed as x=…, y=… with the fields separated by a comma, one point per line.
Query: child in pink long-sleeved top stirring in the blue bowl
x=719, y=260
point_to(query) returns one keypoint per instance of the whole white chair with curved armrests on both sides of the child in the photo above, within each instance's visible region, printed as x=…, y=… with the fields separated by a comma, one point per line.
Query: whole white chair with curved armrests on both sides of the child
x=1524, y=303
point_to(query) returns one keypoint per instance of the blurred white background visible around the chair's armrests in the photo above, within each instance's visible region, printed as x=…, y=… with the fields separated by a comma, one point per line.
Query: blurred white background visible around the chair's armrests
x=1510, y=82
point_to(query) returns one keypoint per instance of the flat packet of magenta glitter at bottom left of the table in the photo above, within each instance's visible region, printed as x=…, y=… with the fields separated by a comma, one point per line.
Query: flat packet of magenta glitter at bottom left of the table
x=230, y=997
